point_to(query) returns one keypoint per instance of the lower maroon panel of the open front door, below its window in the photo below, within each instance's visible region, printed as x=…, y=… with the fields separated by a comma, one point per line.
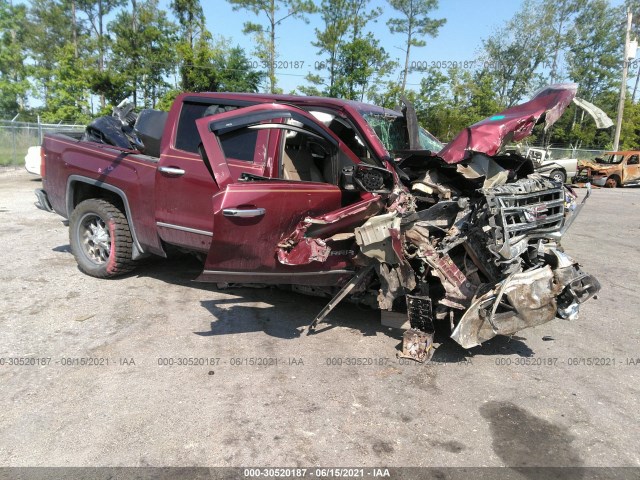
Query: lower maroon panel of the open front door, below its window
x=250, y=220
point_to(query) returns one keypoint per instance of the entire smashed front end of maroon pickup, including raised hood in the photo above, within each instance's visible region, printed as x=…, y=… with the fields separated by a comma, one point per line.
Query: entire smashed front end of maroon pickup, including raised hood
x=468, y=236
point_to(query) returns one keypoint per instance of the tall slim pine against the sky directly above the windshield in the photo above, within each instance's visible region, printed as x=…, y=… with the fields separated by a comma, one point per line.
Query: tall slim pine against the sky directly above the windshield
x=414, y=24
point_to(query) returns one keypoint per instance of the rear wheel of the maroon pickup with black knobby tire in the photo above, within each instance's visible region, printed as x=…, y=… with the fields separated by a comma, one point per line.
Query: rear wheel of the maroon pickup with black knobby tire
x=100, y=239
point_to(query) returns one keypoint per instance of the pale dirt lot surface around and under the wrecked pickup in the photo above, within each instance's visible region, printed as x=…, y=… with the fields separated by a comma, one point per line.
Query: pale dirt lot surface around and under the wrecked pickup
x=561, y=394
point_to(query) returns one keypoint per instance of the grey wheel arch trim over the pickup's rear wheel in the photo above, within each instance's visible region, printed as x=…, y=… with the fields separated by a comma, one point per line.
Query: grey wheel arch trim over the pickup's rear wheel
x=81, y=188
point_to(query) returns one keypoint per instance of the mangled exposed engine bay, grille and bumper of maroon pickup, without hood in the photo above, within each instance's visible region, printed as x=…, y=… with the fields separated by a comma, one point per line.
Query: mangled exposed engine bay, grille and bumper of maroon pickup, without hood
x=487, y=259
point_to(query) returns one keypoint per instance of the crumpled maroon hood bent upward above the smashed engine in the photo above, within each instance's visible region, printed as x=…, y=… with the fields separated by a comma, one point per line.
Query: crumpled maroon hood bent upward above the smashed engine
x=488, y=136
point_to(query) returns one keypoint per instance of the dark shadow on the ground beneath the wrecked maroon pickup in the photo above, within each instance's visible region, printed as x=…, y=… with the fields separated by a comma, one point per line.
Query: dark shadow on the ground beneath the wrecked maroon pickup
x=281, y=313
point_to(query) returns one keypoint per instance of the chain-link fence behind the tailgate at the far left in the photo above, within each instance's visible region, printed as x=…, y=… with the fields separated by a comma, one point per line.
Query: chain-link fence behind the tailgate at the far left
x=17, y=137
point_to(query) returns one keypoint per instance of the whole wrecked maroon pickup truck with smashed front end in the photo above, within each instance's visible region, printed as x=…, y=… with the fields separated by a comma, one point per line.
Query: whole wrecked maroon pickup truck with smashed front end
x=332, y=197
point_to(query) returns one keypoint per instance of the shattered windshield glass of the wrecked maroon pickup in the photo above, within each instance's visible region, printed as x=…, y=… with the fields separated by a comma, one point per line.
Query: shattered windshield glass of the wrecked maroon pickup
x=392, y=132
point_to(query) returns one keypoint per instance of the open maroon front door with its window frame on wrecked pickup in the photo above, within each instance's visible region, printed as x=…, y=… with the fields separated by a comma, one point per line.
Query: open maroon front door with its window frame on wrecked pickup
x=251, y=217
